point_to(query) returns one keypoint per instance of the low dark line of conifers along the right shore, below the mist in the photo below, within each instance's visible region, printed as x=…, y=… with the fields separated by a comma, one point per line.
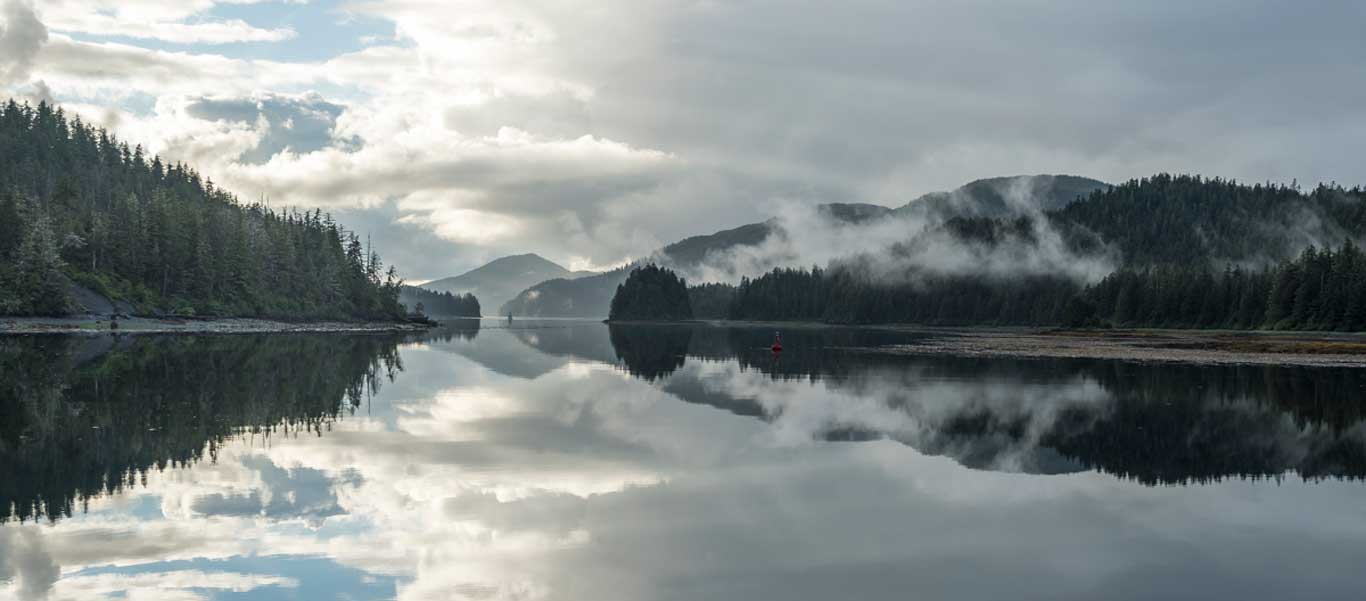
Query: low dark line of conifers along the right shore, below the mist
x=1320, y=290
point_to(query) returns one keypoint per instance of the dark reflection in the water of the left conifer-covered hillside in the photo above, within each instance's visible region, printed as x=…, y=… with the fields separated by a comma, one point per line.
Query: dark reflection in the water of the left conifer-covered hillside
x=83, y=417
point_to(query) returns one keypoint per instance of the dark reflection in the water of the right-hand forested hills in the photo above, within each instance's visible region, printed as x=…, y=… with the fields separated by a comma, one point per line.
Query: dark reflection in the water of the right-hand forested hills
x=1155, y=424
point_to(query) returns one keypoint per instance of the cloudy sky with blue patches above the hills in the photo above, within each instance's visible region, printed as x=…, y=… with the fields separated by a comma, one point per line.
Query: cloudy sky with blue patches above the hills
x=457, y=132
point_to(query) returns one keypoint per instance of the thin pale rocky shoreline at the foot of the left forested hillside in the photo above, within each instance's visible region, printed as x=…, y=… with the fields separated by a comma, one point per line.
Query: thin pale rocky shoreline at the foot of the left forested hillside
x=95, y=326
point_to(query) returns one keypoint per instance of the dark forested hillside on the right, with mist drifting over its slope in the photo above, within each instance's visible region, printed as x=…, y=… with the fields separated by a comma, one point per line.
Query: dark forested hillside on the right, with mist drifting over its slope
x=1192, y=253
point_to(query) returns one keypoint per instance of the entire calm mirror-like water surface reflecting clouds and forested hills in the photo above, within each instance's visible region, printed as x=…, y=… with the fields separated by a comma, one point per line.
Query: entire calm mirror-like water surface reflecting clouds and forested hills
x=569, y=461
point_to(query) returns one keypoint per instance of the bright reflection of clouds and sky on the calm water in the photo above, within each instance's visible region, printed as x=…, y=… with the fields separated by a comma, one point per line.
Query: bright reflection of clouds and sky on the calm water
x=581, y=481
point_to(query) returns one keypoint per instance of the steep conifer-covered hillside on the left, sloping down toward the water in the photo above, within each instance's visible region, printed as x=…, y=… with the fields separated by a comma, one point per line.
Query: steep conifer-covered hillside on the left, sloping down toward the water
x=79, y=204
